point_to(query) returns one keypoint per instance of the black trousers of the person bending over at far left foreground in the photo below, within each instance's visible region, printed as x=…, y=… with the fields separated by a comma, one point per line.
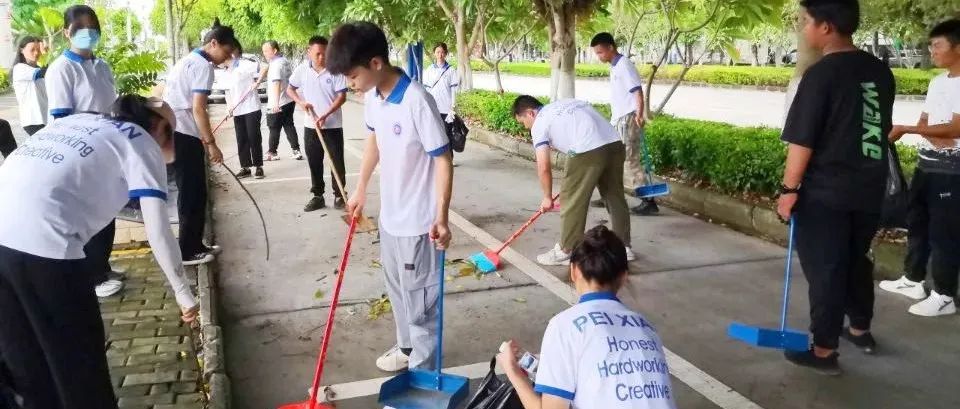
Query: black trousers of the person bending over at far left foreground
x=51, y=334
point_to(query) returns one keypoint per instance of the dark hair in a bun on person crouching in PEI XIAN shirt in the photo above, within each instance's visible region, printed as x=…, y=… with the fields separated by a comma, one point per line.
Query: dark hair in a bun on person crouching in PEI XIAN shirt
x=601, y=256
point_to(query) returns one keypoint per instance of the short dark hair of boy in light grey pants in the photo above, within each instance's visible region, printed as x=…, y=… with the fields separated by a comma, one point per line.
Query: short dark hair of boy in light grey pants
x=355, y=44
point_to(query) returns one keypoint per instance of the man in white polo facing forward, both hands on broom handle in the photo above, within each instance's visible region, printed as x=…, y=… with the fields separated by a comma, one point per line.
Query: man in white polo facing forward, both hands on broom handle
x=321, y=95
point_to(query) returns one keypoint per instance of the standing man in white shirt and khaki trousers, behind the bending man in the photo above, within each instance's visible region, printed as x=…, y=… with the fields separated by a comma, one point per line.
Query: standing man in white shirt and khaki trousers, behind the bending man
x=627, y=113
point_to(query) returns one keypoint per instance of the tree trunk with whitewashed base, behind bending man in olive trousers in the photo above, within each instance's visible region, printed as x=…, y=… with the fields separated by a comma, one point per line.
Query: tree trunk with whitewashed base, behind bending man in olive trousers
x=562, y=26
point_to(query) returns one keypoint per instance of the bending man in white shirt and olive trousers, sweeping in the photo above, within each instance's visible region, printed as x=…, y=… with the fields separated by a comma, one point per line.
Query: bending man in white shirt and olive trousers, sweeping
x=595, y=162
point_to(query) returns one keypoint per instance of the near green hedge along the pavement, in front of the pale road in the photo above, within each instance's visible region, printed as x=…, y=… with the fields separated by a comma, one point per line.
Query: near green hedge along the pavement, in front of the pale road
x=732, y=159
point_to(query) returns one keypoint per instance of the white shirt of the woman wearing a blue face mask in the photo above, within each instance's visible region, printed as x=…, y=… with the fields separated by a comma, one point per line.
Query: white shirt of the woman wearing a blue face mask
x=77, y=84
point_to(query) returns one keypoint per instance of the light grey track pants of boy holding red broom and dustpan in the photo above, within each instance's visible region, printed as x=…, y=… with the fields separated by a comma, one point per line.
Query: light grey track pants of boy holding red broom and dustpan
x=412, y=274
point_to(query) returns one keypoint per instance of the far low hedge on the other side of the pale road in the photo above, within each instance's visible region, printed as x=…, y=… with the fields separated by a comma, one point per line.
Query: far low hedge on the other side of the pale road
x=909, y=81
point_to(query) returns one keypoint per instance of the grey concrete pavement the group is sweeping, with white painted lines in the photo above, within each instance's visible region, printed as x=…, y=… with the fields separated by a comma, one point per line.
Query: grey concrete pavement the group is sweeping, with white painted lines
x=691, y=279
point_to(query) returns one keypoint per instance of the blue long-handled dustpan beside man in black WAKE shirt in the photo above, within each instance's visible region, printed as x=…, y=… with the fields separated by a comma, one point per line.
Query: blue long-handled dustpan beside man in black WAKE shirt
x=783, y=338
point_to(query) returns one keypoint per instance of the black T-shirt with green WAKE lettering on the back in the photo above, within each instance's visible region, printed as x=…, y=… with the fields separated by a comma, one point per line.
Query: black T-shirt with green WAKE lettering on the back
x=843, y=111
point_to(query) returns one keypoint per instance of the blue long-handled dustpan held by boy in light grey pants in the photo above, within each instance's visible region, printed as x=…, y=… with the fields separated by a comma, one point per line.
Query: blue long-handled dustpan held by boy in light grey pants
x=420, y=389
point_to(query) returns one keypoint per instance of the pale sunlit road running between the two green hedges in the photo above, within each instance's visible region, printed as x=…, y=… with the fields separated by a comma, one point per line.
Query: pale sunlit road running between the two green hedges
x=738, y=107
